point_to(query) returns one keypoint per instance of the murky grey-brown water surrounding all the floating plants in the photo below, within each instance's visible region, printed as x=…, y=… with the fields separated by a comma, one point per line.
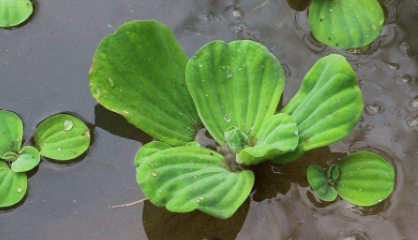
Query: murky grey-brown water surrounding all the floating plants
x=44, y=70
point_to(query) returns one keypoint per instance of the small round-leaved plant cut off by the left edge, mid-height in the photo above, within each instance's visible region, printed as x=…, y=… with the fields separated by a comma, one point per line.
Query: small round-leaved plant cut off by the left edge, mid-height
x=61, y=137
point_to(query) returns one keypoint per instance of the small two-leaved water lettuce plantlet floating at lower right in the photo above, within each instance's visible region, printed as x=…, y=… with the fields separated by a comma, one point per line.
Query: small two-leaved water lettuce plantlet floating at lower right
x=361, y=178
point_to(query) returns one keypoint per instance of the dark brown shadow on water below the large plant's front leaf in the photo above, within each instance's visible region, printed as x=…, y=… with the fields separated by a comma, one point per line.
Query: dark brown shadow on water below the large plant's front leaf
x=160, y=224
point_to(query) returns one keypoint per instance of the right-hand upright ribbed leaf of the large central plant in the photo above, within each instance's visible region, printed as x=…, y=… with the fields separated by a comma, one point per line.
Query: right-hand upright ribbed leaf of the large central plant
x=326, y=108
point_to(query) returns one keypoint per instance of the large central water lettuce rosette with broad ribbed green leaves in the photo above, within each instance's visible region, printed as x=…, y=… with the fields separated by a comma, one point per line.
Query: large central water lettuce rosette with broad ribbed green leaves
x=231, y=89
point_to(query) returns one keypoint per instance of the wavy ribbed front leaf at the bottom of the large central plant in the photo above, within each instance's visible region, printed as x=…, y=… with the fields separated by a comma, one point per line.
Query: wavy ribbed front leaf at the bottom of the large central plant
x=184, y=179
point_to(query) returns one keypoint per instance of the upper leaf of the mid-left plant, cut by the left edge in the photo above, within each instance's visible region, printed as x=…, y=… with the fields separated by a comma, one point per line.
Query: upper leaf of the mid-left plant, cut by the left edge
x=11, y=132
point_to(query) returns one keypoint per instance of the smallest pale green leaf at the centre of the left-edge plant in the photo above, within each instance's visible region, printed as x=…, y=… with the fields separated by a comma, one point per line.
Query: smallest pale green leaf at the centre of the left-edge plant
x=27, y=159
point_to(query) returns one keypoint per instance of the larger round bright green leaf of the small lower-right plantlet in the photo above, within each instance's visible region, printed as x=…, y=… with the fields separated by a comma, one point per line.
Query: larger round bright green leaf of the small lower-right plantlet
x=365, y=179
